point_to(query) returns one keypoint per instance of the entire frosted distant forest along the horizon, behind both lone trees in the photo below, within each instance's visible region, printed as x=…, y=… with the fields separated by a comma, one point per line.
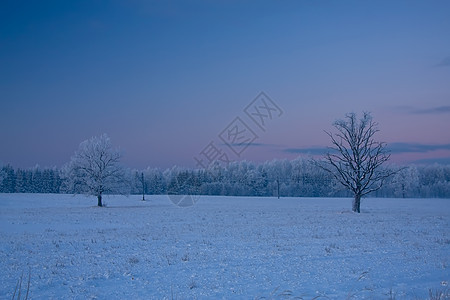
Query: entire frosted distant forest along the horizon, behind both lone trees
x=287, y=178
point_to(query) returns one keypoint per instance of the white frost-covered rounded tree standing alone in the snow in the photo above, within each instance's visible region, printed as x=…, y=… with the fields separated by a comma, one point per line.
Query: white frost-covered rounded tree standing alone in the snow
x=94, y=169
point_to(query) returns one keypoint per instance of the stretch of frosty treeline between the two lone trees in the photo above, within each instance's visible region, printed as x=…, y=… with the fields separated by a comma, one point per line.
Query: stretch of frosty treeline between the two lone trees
x=287, y=178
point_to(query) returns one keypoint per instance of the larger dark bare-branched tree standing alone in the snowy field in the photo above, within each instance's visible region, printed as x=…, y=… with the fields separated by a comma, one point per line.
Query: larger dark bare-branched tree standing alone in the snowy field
x=355, y=159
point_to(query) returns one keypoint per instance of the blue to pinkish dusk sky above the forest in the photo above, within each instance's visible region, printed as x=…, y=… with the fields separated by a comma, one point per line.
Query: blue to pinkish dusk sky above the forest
x=170, y=81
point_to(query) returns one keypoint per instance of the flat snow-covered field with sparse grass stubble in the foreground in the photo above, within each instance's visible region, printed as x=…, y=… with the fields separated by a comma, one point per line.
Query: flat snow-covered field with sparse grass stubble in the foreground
x=223, y=248
